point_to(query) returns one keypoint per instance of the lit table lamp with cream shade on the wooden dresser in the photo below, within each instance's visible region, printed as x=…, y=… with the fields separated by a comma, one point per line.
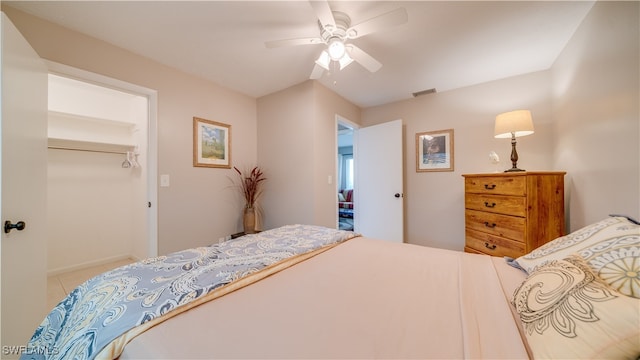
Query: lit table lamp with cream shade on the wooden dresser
x=513, y=124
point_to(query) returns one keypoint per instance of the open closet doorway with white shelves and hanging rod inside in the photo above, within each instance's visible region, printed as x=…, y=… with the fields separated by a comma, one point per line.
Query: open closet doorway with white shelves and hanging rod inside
x=101, y=182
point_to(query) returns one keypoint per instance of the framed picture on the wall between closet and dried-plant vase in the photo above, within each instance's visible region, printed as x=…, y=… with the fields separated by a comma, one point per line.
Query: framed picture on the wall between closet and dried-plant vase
x=211, y=143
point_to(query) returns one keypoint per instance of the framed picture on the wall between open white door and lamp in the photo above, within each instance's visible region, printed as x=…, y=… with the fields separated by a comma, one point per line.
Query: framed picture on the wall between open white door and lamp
x=434, y=151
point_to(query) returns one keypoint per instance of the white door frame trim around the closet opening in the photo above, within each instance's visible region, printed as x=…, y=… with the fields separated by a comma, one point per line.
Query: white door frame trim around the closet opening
x=152, y=136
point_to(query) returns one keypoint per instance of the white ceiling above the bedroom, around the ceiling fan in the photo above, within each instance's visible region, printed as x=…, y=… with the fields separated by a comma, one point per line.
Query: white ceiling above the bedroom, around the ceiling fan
x=445, y=44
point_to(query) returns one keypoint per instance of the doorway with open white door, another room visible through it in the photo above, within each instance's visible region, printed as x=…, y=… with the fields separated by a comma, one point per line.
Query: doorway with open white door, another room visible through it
x=372, y=157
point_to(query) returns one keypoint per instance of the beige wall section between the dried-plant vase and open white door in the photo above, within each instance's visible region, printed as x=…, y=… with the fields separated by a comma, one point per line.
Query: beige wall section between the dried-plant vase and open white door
x=297, y=148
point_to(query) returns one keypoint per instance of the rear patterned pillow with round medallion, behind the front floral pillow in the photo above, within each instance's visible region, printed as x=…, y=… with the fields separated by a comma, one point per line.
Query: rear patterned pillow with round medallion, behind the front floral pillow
x=611, y=247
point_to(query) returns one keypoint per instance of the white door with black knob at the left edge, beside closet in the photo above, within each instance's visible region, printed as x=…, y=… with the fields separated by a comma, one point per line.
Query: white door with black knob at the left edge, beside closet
x=23, y=152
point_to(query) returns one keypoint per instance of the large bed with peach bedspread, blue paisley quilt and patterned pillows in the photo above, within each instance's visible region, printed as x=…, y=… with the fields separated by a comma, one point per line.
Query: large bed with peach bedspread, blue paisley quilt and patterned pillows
x=302, y=292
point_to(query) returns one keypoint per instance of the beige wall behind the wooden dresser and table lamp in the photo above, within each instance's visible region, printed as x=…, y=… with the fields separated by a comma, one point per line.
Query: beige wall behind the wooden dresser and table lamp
x=434, y=201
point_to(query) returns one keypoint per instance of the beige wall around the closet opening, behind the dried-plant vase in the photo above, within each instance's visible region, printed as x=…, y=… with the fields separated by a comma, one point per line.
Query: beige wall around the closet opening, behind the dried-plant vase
x=199, y=207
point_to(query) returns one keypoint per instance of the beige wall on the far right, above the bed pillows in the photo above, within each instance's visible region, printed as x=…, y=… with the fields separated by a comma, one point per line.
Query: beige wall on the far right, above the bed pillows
x=596, y=82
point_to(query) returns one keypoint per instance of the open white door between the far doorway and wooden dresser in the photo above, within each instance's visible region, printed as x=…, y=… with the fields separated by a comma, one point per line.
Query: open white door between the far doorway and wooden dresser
x=379, y=204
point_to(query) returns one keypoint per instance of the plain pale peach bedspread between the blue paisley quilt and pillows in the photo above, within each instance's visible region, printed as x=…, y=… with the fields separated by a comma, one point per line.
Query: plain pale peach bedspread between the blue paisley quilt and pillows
x=362, y=299
